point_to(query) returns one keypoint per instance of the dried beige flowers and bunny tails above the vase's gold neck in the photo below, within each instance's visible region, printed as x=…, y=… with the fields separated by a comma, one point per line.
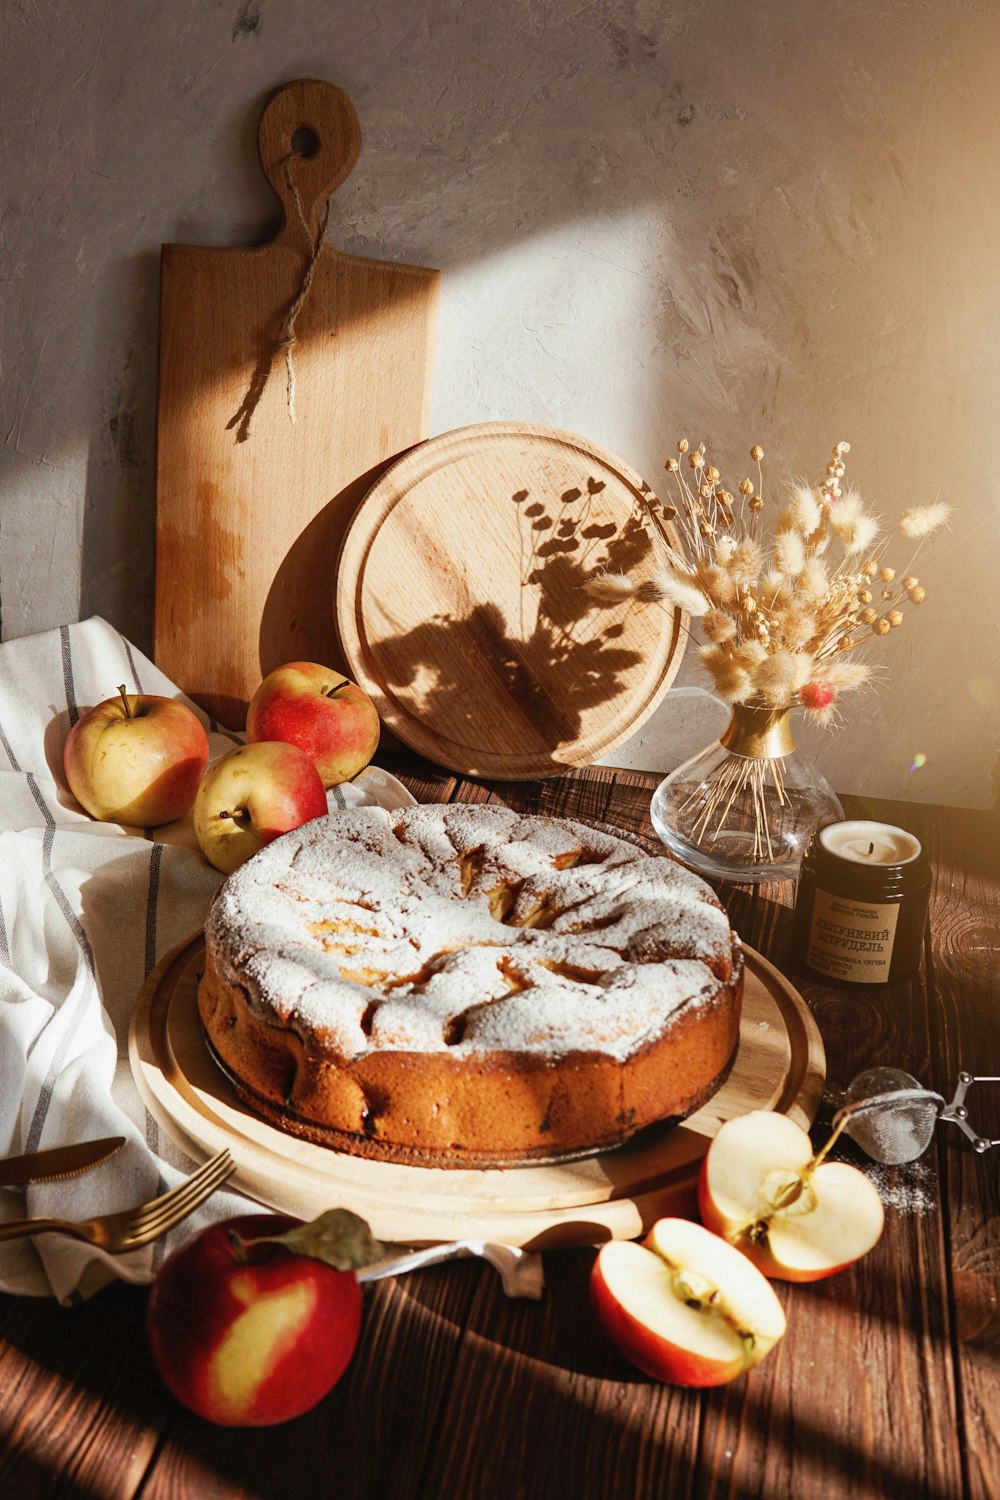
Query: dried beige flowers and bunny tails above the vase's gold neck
x=780, y=614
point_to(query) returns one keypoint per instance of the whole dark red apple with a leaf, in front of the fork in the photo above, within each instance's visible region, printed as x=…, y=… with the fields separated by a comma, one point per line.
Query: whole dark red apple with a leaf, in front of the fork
x=250, y=1336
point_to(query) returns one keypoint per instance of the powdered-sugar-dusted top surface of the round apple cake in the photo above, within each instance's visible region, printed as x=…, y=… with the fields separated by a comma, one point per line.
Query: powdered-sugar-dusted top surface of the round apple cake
x=469, y=929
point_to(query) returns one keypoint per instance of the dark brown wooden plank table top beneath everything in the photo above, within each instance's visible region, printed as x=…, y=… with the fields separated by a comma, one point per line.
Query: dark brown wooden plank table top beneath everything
x=887, y=1382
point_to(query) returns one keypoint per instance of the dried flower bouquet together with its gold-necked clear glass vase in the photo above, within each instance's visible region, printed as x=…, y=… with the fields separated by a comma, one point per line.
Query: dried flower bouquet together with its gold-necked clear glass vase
x=785, y=595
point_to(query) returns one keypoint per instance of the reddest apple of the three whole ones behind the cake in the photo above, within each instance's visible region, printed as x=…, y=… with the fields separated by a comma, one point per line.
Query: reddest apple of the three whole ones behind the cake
x=323, y=713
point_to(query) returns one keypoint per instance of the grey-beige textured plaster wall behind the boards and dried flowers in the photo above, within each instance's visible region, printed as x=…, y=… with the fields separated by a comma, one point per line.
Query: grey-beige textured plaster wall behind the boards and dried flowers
x=767, y=223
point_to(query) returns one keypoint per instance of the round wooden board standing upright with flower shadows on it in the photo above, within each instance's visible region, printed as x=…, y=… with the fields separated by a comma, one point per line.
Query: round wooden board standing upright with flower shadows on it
x=461, y=604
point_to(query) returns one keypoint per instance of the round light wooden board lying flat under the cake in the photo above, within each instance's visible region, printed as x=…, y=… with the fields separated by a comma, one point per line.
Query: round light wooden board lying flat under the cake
x=780, y=1066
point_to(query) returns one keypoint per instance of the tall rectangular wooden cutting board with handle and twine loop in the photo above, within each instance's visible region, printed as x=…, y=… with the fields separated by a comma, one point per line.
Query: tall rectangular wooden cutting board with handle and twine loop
x=290, y=376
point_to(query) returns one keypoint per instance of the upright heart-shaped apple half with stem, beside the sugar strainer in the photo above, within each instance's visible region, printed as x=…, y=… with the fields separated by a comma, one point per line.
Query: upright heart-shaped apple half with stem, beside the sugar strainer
x=795, y=1216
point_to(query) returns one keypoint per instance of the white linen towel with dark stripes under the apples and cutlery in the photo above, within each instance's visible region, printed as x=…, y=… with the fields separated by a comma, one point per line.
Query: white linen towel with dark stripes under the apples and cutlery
x=86, y=913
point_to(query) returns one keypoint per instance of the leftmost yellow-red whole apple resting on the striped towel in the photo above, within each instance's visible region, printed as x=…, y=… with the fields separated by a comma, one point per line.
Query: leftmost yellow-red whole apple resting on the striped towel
x=136, y=760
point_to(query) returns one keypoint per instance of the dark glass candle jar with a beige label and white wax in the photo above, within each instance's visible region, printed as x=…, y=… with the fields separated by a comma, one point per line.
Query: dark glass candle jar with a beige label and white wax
x=861, y=907
